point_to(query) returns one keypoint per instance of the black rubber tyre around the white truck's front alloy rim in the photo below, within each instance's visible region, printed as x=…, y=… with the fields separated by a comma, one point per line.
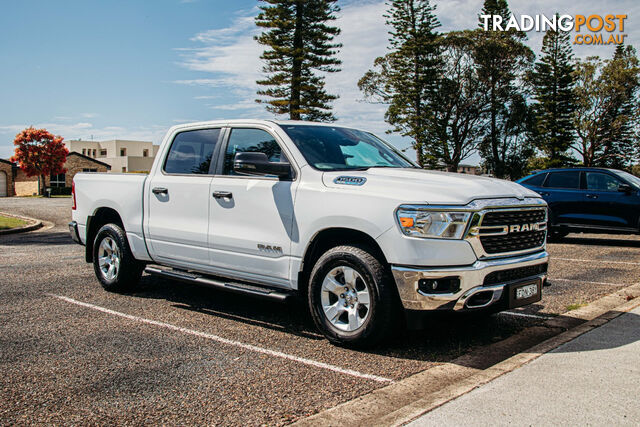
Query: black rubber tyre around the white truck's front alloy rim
x=382, y=309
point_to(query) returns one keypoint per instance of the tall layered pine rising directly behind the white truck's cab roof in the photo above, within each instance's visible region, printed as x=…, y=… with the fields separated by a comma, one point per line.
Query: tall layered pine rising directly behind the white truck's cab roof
x=300, y=51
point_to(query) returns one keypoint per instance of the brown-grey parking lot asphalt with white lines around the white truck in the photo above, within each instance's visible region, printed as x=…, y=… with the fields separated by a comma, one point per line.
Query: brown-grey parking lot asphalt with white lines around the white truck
x=176, y=353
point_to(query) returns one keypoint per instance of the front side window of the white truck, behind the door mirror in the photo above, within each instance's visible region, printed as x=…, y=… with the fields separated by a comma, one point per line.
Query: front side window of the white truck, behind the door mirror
x=251, y=140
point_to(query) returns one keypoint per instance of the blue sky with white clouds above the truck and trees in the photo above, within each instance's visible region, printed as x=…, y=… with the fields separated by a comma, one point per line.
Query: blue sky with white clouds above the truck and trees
x=132, y=69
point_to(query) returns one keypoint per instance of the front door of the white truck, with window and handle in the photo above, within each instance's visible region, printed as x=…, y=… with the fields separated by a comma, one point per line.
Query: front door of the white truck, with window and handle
x=252, y=223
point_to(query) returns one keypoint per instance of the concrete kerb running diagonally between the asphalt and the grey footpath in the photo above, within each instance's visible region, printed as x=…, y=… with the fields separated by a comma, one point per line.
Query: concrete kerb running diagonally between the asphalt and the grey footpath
x=412, y=397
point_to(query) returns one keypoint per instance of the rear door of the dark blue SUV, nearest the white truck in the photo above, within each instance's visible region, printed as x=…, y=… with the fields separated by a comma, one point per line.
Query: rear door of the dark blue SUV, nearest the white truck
x=562, y=192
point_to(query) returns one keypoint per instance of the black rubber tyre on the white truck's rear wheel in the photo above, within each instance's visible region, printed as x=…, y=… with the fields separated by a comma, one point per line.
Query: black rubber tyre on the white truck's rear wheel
x=126, y=274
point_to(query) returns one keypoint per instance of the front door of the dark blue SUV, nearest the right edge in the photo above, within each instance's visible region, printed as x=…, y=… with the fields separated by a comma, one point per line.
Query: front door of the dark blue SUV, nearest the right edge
x=605, y=205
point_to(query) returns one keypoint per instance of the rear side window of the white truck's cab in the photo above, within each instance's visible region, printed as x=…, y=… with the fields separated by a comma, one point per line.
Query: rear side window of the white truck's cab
x=191, y=152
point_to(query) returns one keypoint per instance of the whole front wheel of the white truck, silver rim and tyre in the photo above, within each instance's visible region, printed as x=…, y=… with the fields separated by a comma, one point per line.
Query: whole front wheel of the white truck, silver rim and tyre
x=351, y=297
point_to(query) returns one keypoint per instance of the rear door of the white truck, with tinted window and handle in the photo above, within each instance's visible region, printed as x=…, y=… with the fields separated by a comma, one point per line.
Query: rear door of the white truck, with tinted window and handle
x=178, y=199
